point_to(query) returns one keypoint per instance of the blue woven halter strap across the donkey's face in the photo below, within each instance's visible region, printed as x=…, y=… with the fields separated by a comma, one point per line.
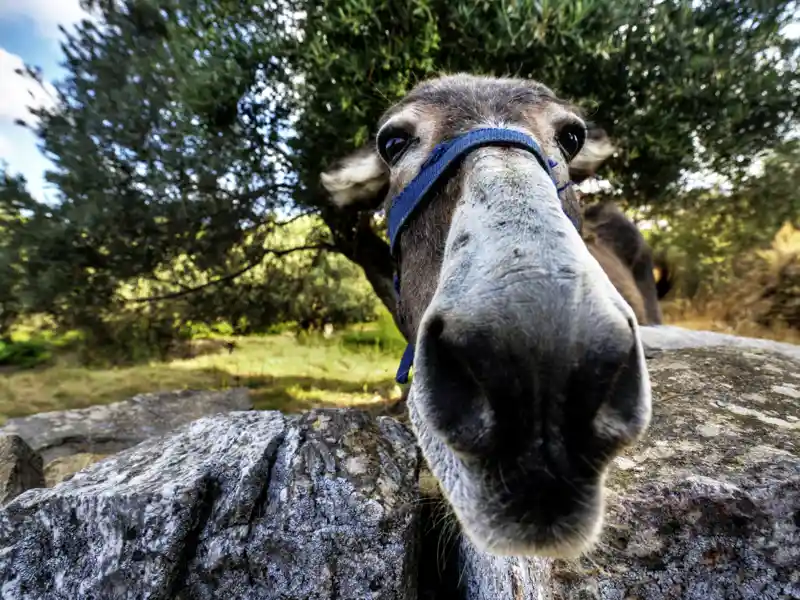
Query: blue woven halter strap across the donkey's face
x=436, y=169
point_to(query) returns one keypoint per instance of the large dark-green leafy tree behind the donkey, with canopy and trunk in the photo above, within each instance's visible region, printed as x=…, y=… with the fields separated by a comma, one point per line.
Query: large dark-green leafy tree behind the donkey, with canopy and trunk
x=185, y=128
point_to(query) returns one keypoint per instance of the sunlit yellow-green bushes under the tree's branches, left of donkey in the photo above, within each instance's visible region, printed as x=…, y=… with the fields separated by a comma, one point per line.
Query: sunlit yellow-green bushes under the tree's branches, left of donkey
x=308, y=288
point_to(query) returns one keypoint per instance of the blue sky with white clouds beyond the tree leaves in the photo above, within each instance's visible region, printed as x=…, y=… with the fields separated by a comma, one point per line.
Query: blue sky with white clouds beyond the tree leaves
x=29, y=34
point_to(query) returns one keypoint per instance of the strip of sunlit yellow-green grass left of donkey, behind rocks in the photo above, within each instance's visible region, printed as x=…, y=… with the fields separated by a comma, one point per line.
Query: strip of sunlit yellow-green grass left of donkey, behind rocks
x=281, y=371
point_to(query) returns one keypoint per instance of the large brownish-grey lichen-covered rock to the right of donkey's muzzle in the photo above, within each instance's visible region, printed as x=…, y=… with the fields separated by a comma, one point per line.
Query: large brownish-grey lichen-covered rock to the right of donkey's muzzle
x=707, y=506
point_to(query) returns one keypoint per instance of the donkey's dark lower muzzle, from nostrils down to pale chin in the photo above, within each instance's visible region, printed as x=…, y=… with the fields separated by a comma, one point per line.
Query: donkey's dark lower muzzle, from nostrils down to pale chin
x=519, y=447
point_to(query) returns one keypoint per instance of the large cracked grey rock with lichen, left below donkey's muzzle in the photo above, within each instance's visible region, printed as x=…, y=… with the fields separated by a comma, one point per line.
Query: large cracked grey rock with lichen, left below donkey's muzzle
x=246, y=505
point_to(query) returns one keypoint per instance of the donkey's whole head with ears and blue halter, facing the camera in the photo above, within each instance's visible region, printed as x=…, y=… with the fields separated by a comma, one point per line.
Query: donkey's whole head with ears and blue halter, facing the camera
x=529, y=370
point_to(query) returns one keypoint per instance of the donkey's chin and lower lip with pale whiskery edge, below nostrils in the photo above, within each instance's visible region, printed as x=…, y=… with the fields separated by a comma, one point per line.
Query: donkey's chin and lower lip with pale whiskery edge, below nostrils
x=500, y=510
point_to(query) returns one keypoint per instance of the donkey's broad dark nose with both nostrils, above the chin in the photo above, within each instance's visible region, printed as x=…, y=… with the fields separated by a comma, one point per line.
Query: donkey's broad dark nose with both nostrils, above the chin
x=500, y=383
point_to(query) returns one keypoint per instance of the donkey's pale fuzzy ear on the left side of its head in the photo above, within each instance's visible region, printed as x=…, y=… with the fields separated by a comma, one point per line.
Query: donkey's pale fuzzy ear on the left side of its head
x=357, y=179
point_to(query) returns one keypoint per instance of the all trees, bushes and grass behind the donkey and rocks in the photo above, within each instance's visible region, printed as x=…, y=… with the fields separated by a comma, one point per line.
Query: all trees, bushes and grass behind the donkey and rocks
x=188, y=139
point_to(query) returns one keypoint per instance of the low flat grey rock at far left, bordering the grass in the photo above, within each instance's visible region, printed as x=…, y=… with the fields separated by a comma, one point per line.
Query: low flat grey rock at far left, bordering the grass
x=109, y=428
